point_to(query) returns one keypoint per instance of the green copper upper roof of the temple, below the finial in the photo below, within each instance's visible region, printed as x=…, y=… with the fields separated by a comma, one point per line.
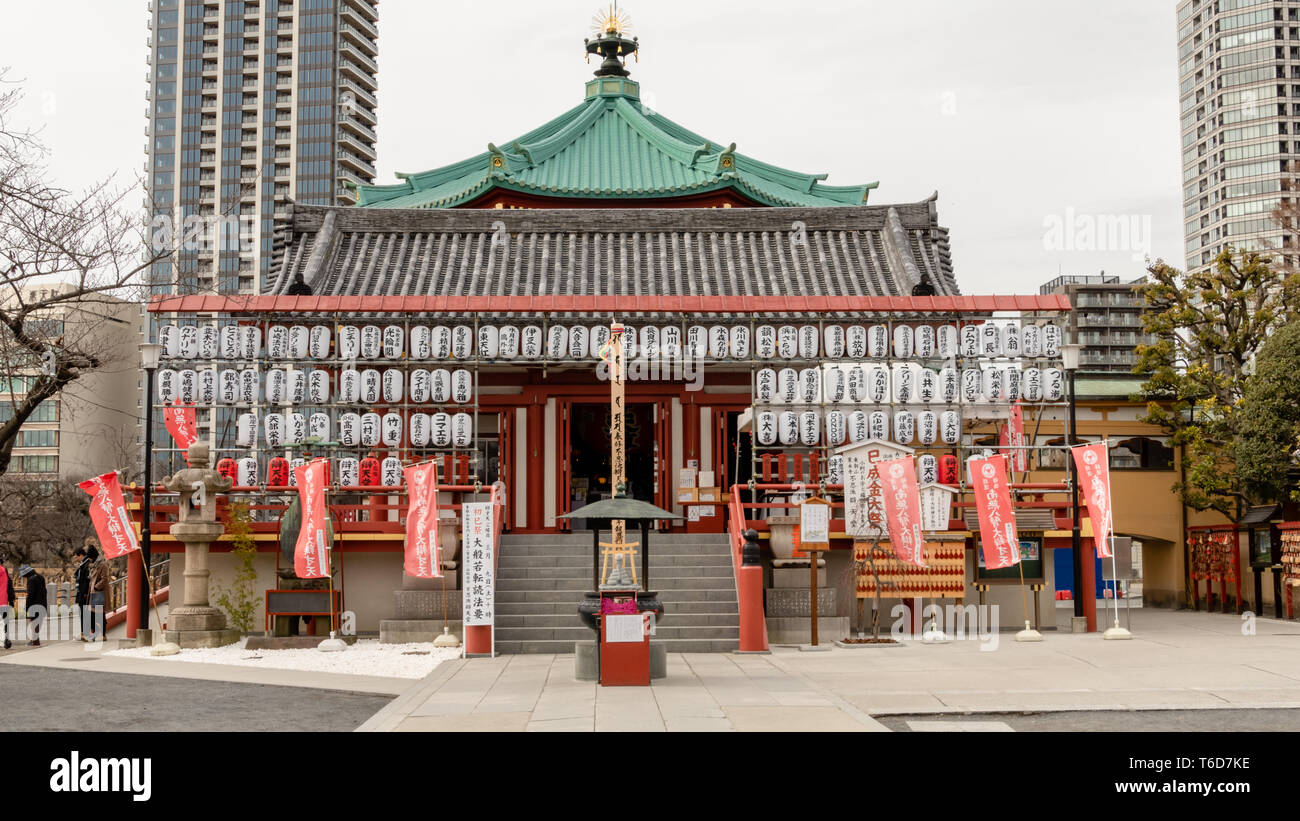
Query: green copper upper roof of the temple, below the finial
x=612, y=147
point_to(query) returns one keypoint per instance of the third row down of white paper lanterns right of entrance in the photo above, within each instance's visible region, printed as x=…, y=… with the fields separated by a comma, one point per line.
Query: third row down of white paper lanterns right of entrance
x=791, y=428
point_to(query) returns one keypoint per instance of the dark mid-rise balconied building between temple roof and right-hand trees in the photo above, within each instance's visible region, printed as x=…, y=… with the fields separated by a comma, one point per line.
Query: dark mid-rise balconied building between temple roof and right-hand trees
x=1107, y=320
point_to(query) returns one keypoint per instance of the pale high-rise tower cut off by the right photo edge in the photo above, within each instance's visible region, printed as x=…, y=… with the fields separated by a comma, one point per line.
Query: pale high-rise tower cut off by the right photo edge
x=1240, y=94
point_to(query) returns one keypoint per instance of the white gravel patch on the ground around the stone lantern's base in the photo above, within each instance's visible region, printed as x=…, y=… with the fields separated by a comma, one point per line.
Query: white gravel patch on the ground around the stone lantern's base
x=366, y=658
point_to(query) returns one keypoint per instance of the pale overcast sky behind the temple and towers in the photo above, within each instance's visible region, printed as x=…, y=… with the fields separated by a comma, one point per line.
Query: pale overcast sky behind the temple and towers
x=1030, y=119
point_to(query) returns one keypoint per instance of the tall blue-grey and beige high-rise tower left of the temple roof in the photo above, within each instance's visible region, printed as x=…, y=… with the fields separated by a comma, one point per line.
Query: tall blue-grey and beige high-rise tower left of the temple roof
x=252, y=105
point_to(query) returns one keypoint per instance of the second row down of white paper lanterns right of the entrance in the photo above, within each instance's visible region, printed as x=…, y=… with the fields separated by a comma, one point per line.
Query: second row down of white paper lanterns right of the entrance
x=904, y=384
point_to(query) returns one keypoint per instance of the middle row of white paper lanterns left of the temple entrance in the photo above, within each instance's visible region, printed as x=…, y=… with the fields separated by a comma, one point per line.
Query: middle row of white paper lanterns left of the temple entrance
x=229, y=386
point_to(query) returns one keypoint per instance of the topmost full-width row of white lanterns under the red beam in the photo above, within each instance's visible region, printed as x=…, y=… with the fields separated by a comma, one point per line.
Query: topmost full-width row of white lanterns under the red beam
x=531, y=342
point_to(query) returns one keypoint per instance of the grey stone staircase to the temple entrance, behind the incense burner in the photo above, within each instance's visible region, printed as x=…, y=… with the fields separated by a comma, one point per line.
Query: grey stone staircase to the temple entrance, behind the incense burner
x=541, y=580
